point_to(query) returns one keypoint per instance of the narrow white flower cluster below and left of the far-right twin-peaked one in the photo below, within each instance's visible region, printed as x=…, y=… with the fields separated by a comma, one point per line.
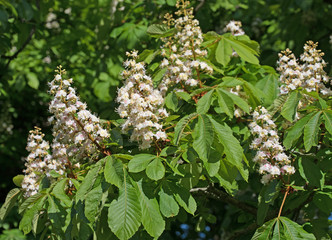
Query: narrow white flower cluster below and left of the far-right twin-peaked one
x=270, y=155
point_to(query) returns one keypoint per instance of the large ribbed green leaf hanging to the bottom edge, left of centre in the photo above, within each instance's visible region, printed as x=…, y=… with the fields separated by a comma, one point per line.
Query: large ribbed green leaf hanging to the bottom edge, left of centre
x=124, y=214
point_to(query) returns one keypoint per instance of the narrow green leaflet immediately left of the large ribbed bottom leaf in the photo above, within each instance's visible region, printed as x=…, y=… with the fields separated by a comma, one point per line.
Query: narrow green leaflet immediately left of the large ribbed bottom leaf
x=92, y=201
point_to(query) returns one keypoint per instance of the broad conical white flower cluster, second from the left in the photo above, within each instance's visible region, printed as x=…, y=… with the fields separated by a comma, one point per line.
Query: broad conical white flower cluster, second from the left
x=77, y=132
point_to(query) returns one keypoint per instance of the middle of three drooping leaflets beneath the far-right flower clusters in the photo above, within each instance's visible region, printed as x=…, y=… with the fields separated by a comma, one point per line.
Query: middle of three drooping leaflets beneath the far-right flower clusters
x=310, y=137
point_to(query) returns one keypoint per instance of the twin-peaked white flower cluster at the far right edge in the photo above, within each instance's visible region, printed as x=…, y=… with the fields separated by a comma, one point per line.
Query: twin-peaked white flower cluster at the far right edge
x=309, y=75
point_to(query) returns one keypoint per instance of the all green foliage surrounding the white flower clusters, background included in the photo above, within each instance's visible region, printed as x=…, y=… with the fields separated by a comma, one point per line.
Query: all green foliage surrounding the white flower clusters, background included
x=204, y=174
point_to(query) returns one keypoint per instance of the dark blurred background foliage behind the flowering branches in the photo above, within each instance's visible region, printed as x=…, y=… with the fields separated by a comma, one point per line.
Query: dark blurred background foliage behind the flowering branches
x=89, y=38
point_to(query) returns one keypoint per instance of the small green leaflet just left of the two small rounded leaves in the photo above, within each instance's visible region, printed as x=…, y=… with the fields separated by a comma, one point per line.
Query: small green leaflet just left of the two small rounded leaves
x=114, y=171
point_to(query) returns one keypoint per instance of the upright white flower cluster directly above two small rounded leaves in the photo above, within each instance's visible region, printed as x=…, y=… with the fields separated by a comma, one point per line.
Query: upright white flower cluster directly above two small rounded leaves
x=140, y=104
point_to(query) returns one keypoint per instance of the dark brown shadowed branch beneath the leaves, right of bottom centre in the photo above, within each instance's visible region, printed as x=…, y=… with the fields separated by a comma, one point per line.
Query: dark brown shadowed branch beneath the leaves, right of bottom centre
x=217, y=194
